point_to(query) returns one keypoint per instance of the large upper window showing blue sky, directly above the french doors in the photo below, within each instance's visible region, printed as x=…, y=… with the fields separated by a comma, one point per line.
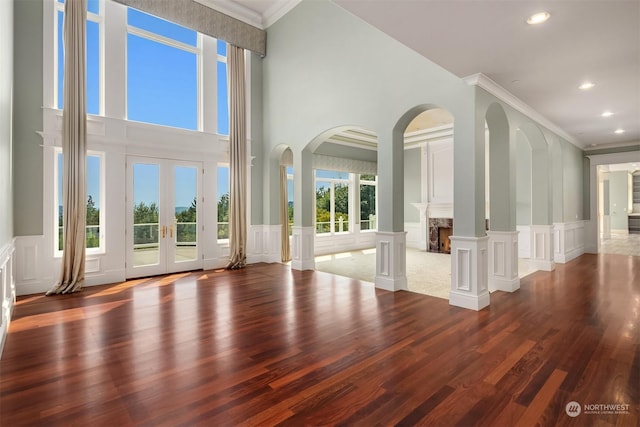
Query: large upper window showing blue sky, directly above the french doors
x=162, y=72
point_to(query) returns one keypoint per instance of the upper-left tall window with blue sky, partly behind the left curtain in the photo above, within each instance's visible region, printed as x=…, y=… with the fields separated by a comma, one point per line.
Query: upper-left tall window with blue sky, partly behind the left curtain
x=93, y=65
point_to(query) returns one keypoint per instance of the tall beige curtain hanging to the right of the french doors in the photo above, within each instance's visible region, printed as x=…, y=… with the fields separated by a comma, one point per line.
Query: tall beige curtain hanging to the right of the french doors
x=237, y=159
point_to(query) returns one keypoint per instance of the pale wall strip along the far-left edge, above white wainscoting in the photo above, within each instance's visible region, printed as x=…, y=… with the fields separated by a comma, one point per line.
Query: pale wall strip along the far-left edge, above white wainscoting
x=6, y=80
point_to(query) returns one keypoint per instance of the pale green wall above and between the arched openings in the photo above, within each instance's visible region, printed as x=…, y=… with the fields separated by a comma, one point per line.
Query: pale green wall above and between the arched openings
x=327, y=69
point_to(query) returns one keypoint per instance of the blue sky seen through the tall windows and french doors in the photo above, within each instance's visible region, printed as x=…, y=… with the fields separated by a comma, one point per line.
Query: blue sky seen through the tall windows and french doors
x=162, y=88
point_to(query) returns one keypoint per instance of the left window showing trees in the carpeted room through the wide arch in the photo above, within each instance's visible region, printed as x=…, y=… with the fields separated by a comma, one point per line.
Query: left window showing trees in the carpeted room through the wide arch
x=332, y=202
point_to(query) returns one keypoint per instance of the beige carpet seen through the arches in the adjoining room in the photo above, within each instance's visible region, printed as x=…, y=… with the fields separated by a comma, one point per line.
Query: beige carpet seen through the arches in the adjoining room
x=427, y=272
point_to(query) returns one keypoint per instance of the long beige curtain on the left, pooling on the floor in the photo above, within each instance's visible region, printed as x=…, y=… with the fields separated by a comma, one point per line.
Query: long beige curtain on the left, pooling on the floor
x=74, y=149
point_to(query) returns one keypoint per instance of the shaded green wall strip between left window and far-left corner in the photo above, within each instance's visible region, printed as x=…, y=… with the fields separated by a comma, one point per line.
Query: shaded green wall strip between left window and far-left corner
x=27, y=118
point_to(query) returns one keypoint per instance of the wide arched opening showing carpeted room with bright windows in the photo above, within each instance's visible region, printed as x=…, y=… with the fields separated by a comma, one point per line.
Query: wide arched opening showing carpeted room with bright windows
x=336, y=204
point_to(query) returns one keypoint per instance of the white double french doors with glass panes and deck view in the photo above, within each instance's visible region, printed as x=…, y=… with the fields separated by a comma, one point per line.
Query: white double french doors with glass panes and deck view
x=163, y=216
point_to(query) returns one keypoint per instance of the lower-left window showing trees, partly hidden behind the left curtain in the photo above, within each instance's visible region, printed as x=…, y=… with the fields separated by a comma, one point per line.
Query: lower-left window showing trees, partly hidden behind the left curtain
x=94, y=235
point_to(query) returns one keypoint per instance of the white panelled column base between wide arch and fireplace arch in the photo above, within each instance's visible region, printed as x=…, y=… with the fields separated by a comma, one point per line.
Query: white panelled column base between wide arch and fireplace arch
x=391, y=262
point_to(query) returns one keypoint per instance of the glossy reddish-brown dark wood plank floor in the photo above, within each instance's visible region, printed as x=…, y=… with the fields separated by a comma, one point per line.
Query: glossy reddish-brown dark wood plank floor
x=268, y=346
